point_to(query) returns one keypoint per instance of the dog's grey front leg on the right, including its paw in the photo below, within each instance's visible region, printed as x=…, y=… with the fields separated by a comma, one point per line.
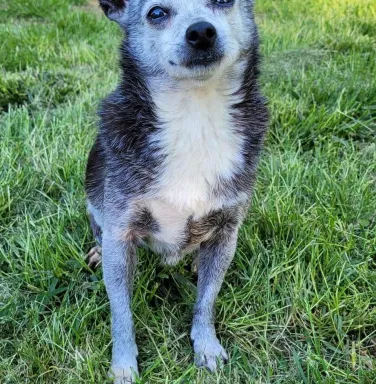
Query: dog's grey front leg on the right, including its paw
x=213, y=262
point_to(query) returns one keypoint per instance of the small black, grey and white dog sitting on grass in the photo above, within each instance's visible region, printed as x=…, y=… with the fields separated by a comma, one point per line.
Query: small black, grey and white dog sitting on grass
x=175, y=159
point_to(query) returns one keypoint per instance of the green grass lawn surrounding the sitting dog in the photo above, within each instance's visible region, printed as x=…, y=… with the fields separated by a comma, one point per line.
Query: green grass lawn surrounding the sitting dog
x=299, y=302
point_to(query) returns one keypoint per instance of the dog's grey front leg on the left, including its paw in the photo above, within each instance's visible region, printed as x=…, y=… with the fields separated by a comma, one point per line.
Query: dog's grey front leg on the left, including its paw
x=119, y=262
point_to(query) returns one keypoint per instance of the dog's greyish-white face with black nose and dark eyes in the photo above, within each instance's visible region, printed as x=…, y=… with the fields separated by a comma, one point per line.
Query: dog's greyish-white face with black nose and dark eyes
x=185, y=39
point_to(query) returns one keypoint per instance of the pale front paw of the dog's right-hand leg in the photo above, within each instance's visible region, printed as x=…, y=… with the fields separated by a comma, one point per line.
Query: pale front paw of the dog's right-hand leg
x=209, y=353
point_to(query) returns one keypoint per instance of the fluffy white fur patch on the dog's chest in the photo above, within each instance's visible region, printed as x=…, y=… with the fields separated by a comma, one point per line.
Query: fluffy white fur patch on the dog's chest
x=199, y=143
